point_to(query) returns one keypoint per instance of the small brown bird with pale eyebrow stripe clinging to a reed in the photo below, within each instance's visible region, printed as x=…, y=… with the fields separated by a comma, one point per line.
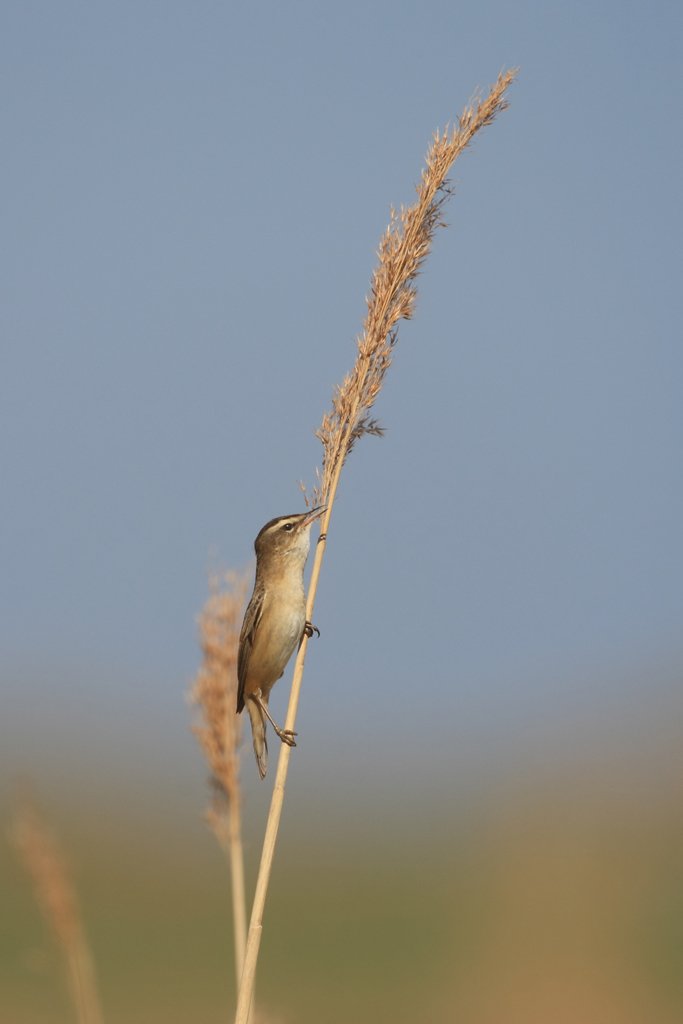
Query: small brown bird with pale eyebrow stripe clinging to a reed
x=275, y=622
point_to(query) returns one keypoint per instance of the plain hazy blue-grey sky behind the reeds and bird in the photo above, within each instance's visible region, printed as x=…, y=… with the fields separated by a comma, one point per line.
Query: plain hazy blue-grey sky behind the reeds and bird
x=192, y=199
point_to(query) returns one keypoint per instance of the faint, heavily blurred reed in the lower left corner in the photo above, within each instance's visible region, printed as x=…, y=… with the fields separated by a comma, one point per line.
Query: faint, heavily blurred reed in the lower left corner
x=40, y=854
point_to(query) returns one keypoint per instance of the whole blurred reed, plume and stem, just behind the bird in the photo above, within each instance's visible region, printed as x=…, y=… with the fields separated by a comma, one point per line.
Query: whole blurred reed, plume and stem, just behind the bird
x=215, y=692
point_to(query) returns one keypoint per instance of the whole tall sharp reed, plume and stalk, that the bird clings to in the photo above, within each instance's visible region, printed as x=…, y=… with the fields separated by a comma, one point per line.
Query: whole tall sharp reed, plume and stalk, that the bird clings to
x=403, y=250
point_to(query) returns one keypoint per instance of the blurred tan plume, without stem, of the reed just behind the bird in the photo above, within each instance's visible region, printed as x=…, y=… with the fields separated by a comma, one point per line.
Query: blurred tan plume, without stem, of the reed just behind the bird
x=216, y=689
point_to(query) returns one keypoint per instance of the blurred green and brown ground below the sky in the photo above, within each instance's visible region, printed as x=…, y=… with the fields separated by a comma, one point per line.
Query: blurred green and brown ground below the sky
x=553, y=891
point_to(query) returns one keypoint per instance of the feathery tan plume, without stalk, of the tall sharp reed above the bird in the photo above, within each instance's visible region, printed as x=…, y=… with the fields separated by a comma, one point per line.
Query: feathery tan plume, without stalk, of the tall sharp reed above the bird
x=403, y=250
